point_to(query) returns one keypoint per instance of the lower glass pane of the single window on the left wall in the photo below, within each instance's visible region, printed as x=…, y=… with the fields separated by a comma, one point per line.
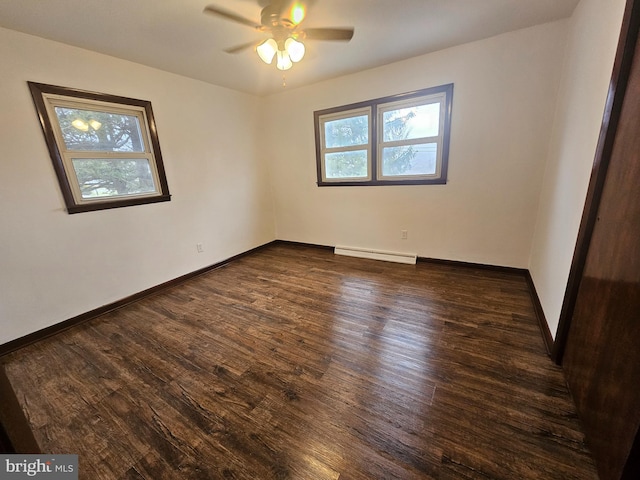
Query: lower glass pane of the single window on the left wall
x=100, y=177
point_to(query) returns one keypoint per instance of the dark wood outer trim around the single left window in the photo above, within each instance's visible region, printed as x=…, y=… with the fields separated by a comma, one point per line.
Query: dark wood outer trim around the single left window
x=38, y=90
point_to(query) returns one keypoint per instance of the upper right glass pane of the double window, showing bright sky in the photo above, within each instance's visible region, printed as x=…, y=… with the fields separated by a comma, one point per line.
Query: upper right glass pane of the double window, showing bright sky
x=412, y=122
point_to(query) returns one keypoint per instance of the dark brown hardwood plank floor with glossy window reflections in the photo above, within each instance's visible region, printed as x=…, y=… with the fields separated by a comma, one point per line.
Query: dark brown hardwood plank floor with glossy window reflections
x=293, y=363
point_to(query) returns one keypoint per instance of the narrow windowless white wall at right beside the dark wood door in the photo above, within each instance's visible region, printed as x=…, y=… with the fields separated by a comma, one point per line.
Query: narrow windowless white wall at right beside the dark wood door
x=594, y=29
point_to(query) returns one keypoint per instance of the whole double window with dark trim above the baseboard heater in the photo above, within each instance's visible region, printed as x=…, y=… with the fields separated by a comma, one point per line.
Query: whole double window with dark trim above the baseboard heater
x=397, y=140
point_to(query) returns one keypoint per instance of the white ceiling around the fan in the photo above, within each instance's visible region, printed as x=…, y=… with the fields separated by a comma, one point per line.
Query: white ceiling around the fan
x=174, y=35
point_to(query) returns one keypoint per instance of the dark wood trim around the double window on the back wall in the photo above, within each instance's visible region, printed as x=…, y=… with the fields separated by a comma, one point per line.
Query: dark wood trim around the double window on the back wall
x=373, y=140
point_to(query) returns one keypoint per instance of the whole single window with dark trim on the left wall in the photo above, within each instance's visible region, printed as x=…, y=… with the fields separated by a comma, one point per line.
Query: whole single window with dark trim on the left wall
x=104, y=148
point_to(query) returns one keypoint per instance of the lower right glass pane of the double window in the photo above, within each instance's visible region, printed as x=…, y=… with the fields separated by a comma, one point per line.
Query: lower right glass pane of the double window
x=410, y=159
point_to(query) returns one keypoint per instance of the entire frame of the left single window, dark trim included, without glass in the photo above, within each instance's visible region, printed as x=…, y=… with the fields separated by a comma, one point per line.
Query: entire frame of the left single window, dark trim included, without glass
x=48, y=97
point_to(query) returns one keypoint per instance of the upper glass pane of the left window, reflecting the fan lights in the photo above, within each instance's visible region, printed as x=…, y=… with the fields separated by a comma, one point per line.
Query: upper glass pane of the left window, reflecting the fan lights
x=88, y=130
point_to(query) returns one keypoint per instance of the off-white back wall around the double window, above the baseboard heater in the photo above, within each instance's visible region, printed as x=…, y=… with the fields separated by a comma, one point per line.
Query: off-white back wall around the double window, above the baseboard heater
x=503, y=105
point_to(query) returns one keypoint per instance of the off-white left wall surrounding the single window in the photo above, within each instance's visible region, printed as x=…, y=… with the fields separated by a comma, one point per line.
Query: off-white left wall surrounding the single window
x=54, y=266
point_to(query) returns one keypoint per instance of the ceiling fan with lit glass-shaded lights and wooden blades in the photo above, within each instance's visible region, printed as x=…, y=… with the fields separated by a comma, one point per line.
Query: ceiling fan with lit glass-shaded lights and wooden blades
x=281, y=19
